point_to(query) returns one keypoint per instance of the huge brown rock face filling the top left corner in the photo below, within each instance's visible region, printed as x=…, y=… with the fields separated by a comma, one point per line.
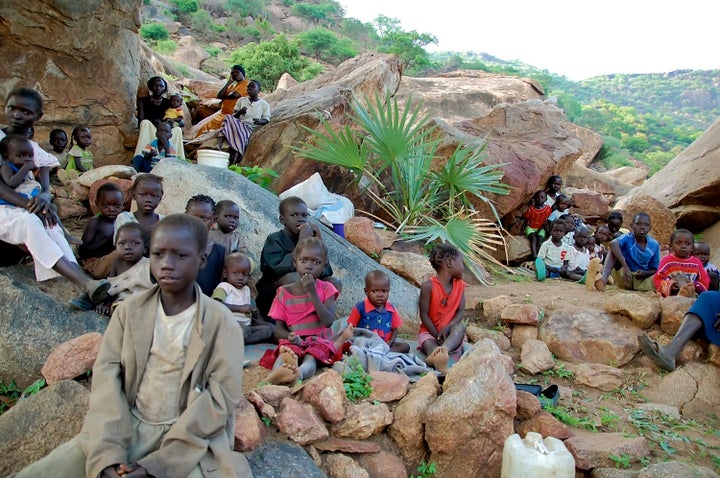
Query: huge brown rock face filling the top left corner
x=82, y=56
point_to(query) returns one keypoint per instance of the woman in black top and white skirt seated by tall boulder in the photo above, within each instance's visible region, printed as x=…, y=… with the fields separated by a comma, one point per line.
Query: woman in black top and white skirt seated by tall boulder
x=150, y=111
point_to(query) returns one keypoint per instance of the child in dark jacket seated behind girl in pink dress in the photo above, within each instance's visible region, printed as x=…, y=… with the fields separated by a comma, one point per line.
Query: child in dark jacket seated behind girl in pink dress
x=276, y=259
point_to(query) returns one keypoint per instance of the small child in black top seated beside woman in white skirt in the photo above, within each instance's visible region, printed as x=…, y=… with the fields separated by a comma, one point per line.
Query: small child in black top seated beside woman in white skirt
x=97, y=251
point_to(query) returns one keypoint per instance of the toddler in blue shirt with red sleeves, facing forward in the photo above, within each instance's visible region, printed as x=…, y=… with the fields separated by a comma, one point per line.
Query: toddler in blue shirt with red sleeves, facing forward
x=376, y=313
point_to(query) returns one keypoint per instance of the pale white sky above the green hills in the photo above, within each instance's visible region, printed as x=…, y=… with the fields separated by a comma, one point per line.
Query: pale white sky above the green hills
x=575, y=38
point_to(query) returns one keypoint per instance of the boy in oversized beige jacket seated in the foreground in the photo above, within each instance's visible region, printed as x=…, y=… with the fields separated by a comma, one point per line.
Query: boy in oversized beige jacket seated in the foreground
x=166, y=381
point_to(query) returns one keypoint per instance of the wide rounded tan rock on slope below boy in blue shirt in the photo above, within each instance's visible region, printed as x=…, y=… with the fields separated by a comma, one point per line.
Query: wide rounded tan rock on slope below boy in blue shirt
x=587, y=335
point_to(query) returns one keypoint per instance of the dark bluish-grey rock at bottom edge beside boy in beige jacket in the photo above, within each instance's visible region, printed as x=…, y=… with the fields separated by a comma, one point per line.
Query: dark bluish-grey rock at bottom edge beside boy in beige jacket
x=271, y=459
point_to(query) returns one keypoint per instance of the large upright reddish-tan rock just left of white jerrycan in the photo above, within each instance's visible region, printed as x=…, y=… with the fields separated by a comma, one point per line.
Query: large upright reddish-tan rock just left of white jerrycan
x=465, y=428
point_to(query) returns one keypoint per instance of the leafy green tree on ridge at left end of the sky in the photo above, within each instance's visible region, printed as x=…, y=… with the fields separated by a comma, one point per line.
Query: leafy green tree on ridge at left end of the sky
x=409, y=46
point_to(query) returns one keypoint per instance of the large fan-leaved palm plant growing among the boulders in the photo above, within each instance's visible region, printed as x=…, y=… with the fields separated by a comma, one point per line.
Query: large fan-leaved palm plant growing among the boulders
x=391, y=150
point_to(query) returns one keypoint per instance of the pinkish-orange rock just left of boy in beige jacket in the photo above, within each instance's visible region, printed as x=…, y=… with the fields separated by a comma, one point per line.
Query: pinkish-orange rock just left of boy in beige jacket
x=72, y=358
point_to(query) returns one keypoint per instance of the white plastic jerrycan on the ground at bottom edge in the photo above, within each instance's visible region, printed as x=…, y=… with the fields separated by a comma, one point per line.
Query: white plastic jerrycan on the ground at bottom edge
x=533, y=457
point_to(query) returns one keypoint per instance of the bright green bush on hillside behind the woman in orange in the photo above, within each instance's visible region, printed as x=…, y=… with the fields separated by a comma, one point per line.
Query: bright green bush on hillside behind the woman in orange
x=267, y=61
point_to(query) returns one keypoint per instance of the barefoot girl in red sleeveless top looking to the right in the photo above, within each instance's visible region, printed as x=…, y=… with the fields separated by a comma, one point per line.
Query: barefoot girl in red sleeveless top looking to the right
x=442, y=308
